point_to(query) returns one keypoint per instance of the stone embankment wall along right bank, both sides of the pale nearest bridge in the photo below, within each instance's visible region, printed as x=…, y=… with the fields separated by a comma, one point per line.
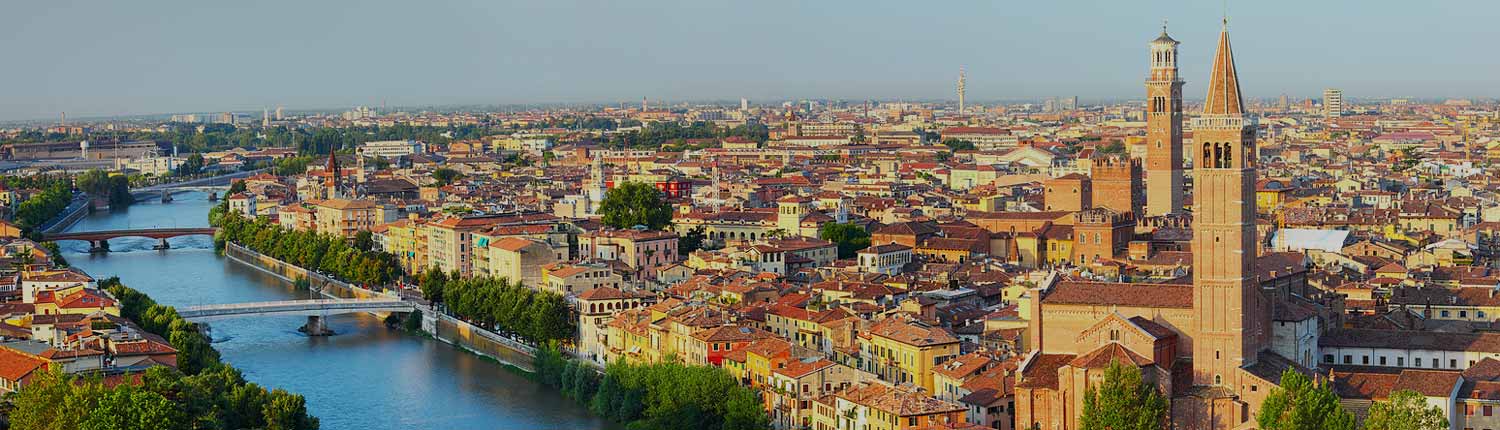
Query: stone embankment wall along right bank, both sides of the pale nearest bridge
x=436, y=324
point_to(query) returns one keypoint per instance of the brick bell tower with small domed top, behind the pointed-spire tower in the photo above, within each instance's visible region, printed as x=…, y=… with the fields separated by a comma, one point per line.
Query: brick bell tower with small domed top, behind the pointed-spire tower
x=1163, y=130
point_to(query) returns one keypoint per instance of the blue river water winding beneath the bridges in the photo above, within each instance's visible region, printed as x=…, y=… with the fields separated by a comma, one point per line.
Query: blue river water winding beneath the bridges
x=368, y=377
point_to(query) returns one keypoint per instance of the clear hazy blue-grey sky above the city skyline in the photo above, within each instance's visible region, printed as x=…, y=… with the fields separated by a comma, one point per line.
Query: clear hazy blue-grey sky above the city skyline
x=109, y=58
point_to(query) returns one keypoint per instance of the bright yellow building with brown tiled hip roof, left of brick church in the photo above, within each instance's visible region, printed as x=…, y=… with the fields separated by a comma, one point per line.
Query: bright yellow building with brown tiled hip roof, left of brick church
x=904, y=351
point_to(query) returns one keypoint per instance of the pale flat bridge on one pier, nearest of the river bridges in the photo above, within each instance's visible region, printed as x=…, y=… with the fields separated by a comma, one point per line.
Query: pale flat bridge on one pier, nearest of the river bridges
x=313, y=309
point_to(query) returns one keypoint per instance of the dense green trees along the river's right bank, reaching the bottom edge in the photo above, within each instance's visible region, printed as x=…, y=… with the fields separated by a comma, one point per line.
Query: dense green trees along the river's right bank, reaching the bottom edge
x=655, y=396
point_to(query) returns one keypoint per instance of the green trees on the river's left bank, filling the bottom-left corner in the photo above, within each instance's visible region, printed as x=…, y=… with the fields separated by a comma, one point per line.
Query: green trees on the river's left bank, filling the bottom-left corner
x=202, y=393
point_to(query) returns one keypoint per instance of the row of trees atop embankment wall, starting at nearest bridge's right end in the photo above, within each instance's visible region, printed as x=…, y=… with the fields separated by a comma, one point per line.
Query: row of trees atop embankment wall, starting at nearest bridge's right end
x=512, y=308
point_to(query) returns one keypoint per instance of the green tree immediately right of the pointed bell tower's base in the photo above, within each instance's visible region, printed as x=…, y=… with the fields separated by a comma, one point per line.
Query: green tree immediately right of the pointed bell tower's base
x=1301, y=404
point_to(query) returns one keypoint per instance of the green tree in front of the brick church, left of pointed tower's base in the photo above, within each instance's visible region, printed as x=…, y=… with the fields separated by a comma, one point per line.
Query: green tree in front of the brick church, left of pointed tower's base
x=1123, y=401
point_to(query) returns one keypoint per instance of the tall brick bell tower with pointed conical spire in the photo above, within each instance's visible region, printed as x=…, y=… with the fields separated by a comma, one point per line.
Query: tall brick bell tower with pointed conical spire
x=1231, y=311
